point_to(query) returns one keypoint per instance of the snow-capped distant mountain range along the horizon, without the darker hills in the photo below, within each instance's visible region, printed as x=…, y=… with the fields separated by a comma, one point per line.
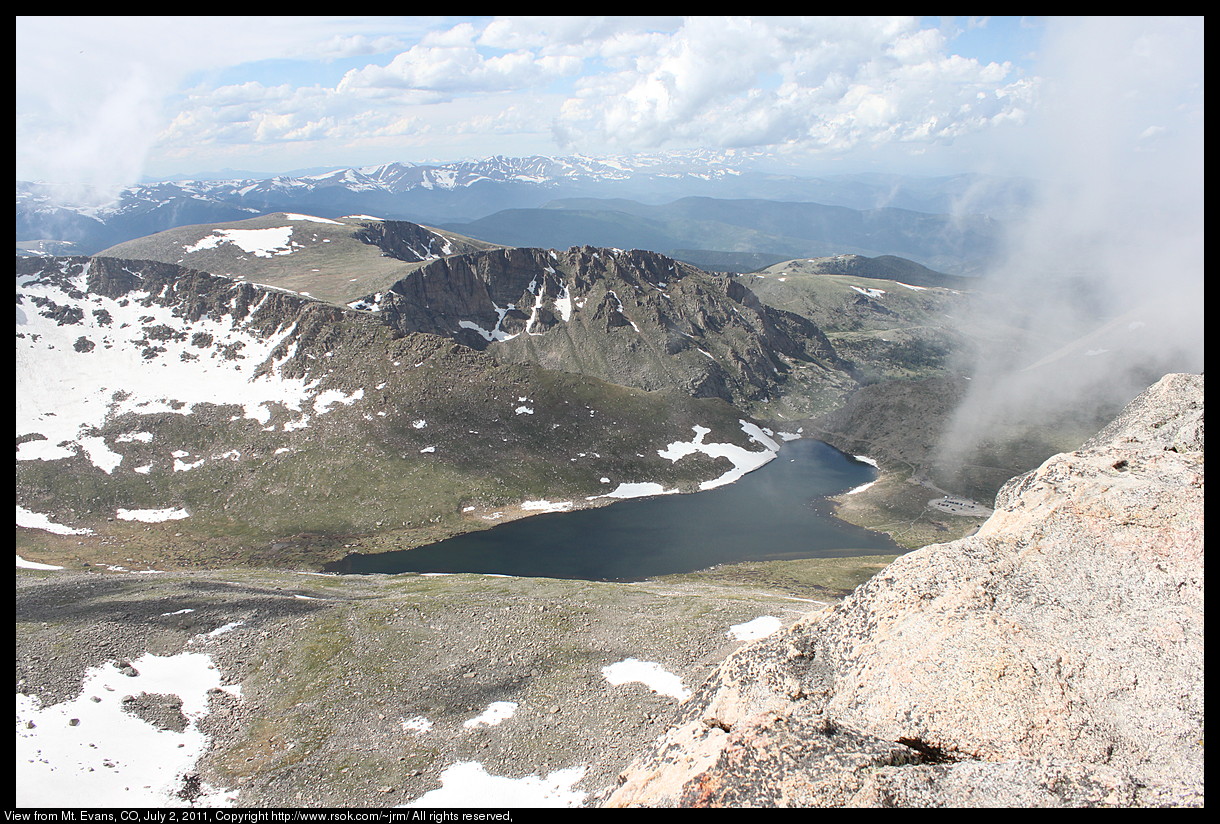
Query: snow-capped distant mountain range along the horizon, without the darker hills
x=462, y=192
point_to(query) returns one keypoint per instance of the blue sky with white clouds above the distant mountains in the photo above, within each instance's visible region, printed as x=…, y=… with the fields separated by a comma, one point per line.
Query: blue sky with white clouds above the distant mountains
x=107, y=101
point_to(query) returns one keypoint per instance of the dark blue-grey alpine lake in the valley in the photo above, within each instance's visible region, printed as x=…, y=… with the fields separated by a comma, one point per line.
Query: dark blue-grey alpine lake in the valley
x=775, y=513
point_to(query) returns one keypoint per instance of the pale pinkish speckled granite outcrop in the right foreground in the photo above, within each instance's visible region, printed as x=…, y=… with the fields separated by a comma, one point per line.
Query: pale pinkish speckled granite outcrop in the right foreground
x=1055, y=659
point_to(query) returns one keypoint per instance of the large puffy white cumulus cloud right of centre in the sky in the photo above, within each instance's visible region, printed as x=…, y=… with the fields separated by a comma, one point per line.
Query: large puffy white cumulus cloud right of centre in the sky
x=819, y=84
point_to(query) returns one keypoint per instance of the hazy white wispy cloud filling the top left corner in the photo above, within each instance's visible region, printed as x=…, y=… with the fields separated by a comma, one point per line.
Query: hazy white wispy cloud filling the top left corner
x=95, y=93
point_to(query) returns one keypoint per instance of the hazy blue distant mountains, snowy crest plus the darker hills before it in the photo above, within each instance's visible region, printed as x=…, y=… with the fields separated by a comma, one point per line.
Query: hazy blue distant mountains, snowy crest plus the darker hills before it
x=646, y=190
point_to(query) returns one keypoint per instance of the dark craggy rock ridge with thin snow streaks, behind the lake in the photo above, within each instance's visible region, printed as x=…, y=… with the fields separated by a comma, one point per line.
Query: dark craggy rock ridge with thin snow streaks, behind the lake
x=633, y=318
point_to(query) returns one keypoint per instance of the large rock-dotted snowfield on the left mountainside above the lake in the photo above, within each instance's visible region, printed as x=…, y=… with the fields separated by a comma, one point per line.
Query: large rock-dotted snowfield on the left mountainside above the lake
x=74, y=377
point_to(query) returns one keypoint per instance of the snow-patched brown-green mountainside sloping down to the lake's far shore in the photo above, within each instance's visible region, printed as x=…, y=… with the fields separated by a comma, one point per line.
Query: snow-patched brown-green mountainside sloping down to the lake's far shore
x=325, y=428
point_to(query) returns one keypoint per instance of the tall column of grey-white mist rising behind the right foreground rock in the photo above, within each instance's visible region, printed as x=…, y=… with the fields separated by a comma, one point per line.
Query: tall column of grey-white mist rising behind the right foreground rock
x=1101, y=290
